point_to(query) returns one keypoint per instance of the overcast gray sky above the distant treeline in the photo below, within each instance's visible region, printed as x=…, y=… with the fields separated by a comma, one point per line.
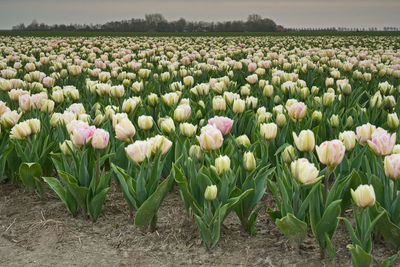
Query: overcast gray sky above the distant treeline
x=289, y=13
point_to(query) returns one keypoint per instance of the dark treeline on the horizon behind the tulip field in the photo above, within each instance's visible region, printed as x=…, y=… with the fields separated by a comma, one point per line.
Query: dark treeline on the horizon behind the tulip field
x=157, y=23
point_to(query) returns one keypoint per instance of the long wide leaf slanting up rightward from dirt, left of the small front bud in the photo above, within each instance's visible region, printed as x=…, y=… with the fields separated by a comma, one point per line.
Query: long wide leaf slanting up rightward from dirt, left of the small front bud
x=150, y=207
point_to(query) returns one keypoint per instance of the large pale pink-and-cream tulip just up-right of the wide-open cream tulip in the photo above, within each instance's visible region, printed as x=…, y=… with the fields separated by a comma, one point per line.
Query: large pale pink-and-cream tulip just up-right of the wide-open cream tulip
x=331, y=153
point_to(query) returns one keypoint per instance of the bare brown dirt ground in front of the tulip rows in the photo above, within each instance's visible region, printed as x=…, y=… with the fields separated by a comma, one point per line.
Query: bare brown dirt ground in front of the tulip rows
x=38, y=231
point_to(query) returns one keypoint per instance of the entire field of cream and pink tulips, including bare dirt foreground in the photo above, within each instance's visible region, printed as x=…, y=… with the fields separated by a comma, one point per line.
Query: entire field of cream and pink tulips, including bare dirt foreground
x=148, y=151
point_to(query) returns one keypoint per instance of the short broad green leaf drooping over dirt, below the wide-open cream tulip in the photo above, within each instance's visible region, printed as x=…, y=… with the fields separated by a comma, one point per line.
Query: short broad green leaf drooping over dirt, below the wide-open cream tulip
x=294, y=229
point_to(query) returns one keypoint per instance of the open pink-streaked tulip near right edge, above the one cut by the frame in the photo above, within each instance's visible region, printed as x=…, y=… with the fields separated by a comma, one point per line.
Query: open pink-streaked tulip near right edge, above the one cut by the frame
x=382, y=142
